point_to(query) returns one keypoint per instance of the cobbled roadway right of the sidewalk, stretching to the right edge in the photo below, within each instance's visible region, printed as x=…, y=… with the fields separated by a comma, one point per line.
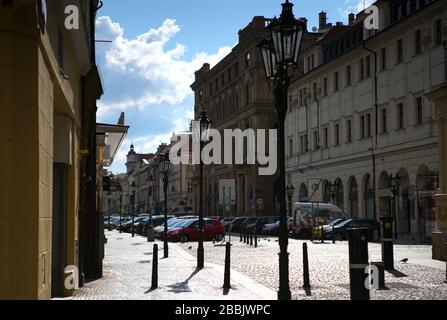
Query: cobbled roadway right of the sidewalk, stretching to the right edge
x=420, y=278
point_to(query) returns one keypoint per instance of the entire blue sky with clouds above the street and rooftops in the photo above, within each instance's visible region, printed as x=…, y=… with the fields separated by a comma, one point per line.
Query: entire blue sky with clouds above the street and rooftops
x=157, y=46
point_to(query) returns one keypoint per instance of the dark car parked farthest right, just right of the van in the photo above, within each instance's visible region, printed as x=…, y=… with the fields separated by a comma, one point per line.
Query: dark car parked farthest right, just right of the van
x=340, y=229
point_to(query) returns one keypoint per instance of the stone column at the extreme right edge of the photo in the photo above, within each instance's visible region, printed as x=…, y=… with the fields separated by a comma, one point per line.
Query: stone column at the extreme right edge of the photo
x=439, y=237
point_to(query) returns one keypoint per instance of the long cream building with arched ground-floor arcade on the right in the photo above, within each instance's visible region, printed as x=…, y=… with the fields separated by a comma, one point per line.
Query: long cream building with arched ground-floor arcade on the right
x=359, y=116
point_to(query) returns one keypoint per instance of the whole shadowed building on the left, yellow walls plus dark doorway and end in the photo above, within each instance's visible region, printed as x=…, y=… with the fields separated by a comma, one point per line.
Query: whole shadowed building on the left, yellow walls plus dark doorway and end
x=48, y=92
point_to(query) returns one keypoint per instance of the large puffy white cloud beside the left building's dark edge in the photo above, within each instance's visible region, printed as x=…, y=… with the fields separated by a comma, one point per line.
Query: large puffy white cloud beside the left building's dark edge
x=151, y=73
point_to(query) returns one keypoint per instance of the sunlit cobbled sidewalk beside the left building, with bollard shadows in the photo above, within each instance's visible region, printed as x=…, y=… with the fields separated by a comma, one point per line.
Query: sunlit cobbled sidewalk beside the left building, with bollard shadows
x=127, y=276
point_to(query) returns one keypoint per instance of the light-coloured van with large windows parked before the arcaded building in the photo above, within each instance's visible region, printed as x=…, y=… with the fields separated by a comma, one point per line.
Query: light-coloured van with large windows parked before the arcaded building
x=307, y=216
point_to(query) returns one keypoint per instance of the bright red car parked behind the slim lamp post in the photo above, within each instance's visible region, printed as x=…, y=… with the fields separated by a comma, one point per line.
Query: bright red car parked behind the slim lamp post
x=189, y=230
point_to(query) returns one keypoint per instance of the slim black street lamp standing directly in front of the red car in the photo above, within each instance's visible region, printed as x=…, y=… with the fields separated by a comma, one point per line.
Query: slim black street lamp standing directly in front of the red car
x=202, y=137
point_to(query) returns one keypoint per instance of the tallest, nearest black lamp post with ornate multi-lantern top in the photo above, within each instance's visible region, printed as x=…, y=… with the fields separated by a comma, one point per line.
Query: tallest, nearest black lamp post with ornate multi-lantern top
x=280, y=54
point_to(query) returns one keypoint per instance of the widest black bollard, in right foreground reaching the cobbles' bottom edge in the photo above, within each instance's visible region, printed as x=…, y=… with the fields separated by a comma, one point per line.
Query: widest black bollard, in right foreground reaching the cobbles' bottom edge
x=358, y=262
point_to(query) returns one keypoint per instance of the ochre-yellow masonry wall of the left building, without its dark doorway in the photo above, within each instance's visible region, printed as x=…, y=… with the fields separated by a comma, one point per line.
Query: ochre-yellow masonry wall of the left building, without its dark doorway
x=31, y=92
